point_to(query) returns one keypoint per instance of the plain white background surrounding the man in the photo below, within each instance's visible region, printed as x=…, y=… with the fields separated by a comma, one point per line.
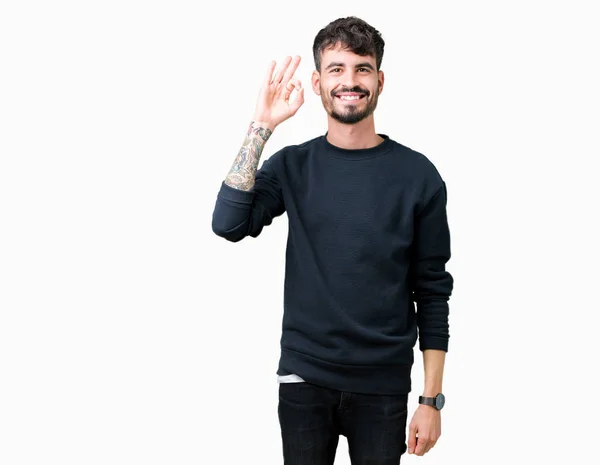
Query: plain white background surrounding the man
x=131, y=334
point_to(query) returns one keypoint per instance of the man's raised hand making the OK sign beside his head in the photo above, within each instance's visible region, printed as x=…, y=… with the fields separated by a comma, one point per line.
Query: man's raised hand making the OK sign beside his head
x=274, y=106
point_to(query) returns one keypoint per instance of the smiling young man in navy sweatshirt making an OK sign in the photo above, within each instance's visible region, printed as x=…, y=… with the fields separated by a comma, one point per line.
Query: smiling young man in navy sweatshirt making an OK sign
x=365, y=262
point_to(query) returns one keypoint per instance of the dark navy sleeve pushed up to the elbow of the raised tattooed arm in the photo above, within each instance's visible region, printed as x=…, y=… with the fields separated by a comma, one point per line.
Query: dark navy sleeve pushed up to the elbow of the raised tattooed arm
x=238, y=214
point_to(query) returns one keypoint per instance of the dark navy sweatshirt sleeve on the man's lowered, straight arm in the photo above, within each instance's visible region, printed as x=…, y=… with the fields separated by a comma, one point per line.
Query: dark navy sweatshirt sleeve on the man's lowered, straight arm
x=432, y=284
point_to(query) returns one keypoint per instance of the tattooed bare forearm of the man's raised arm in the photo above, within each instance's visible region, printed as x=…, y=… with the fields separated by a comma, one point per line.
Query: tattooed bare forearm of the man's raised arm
x=243, y=172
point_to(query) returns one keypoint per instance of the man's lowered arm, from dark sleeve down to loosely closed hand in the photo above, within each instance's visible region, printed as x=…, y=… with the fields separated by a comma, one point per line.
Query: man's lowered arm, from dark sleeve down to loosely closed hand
x=431, y=286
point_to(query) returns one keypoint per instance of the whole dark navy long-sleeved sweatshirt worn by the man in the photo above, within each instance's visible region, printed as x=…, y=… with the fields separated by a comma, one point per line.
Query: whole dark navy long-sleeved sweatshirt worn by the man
x=365, y=274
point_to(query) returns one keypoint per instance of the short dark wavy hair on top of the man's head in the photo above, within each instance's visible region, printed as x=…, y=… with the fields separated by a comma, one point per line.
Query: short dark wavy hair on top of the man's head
x=354, y=34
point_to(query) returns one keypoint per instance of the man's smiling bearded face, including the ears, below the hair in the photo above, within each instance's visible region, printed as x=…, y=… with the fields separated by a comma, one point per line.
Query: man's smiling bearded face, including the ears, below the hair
x=349, y=85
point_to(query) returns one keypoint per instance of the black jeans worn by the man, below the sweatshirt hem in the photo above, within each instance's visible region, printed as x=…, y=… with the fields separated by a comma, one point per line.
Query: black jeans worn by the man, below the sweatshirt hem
x=312, y=418
